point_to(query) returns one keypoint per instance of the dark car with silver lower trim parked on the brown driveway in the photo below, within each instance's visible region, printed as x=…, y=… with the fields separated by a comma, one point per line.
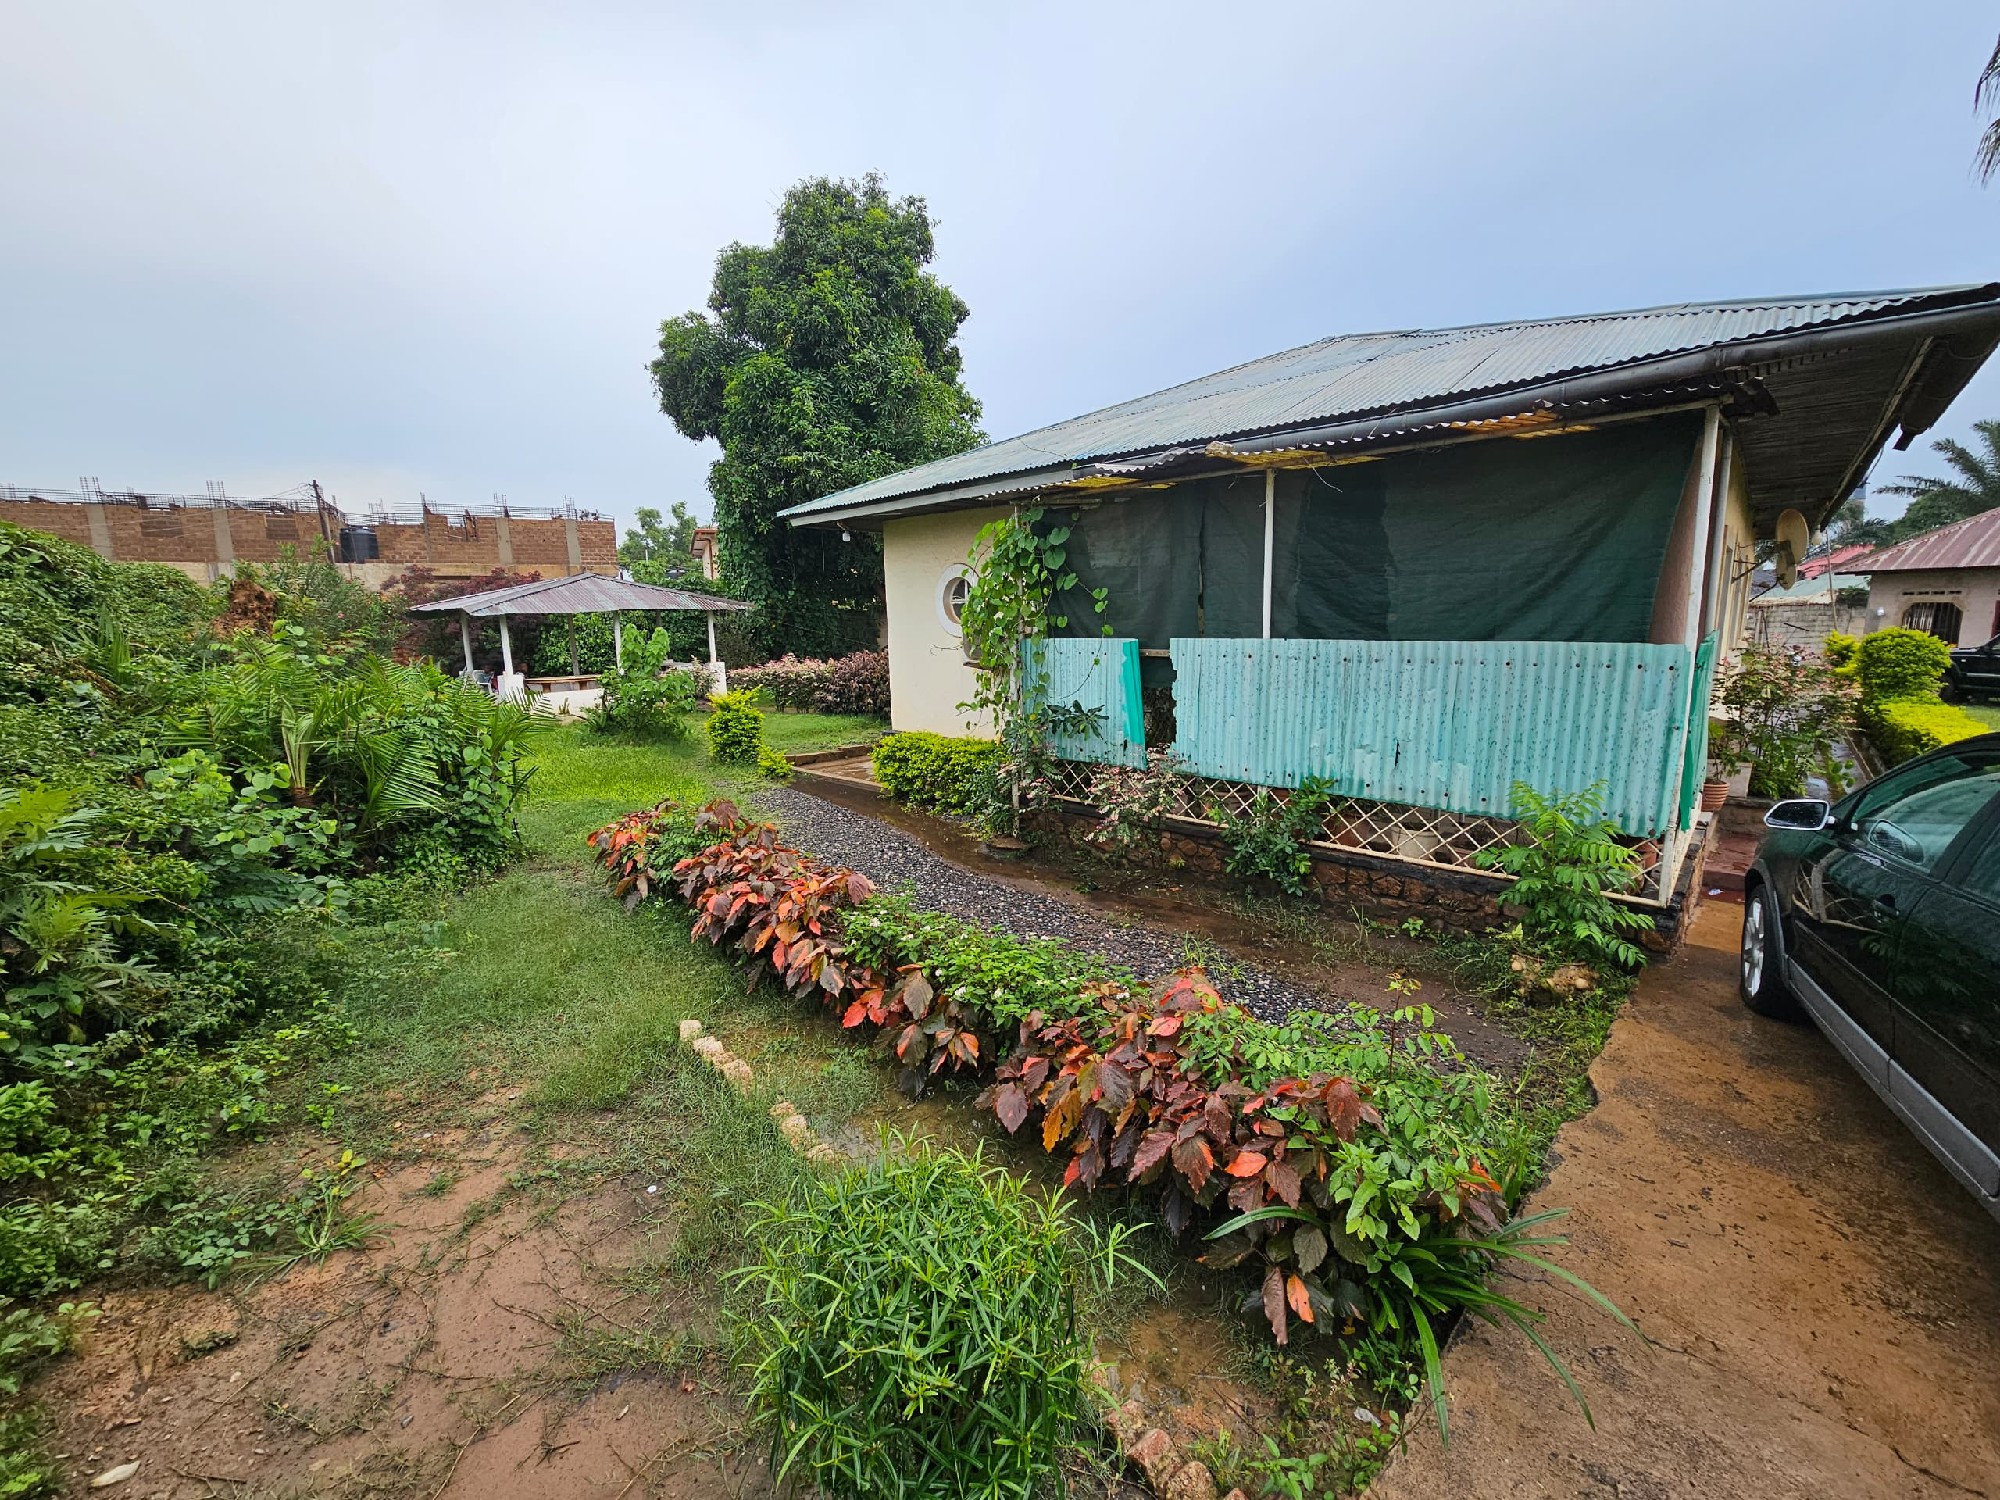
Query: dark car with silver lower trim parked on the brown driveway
x=1881, y=917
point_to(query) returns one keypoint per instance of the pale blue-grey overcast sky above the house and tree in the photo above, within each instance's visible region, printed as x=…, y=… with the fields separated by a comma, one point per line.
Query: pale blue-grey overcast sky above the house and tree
x=427, y=247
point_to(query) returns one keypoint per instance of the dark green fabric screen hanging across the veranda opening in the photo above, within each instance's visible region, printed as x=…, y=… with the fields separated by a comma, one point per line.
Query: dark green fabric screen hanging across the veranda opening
x=1551, y=539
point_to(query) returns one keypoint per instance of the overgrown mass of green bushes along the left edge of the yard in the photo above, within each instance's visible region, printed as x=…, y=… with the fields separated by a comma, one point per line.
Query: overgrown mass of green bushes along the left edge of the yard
x=195, y=799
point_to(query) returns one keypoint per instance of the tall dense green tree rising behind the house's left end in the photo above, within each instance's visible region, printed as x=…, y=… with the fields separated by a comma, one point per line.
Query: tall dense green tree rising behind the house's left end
x=825, y=359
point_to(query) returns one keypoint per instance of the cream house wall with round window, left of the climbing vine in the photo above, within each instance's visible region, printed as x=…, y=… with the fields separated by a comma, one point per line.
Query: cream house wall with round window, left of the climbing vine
x=927, y=667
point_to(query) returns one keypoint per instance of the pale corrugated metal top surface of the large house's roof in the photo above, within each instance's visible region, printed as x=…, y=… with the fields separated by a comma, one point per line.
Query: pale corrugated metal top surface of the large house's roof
x=1395, y=373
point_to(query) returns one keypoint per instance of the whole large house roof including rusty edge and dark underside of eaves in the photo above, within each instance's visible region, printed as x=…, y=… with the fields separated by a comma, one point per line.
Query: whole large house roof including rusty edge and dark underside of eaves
x=1841, y=375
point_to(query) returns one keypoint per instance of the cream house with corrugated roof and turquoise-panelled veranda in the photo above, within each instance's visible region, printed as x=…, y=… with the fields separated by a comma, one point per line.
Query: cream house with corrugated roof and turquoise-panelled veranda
x=1429, y=565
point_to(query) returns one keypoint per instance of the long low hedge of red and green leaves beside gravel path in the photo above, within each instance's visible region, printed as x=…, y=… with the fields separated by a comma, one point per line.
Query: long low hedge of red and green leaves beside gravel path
x=1351, y=1151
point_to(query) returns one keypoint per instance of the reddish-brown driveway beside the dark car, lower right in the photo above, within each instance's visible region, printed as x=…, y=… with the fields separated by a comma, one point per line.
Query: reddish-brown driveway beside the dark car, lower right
x=1825, y=1301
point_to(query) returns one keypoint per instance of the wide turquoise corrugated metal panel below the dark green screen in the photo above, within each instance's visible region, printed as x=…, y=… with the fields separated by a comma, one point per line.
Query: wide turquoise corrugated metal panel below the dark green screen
x=1441, y=723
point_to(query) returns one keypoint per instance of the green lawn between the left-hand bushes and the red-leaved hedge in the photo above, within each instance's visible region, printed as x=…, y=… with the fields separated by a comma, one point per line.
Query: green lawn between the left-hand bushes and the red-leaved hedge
x=545, y=979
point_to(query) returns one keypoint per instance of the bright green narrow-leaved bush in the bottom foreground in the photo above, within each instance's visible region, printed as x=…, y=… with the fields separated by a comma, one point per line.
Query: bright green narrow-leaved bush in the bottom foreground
x=911, y=1331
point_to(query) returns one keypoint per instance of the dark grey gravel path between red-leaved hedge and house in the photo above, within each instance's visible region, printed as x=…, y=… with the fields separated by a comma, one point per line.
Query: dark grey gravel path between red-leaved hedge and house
x=895, y=861
